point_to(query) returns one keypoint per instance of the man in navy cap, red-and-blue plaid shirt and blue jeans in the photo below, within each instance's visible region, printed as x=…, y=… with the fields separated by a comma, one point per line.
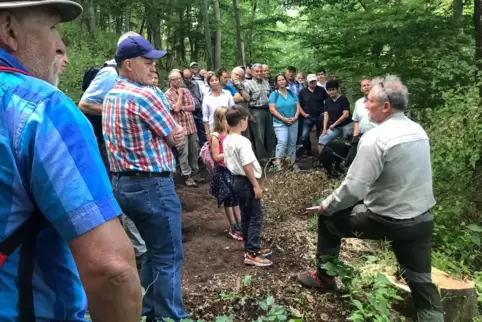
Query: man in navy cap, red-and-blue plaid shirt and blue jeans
x=139, y=132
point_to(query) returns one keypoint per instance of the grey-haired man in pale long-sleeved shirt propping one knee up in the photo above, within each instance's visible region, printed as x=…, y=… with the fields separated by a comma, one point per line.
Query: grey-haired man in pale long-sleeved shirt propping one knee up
x=386, y=195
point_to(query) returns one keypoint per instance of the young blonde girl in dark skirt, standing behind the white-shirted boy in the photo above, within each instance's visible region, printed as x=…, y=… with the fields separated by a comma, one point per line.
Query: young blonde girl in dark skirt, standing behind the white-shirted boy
x=221, y=182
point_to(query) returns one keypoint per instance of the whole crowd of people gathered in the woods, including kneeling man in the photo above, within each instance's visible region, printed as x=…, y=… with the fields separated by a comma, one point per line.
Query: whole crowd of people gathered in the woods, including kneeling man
x=67, y=178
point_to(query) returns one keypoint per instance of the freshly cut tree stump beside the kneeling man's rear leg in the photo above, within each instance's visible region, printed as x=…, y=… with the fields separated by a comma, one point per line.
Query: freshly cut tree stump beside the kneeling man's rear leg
x=459, y=297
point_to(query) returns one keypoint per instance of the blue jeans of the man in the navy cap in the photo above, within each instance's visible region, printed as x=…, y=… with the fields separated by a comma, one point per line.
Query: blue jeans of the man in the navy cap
x=155, y=209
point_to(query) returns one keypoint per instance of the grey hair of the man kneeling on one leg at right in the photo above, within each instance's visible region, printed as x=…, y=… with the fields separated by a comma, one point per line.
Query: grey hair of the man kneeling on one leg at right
x=392, y=90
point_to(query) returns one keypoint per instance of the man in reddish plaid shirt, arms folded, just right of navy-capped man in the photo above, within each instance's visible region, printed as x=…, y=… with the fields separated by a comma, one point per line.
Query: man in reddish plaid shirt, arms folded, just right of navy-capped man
x=182, y=108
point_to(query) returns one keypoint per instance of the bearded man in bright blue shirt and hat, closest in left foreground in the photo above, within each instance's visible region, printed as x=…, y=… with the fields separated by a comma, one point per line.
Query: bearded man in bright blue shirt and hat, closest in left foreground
x=51, y=166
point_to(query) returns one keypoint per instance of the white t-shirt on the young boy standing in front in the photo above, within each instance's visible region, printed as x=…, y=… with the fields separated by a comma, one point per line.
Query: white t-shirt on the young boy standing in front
x=238, y=153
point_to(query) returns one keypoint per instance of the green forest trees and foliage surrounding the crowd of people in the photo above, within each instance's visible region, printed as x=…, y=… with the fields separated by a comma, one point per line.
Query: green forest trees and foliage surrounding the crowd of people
x=435, y=46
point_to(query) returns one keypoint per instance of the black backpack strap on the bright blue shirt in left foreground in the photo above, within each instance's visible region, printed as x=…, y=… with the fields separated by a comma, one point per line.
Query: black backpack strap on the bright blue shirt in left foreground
x=26, y=237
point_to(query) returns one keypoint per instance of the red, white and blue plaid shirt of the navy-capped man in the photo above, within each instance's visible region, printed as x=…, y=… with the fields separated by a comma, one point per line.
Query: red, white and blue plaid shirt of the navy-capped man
x=134, y=124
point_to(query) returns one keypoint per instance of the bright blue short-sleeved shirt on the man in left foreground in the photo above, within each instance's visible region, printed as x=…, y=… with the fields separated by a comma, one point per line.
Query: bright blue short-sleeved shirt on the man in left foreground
x=49, y=157
